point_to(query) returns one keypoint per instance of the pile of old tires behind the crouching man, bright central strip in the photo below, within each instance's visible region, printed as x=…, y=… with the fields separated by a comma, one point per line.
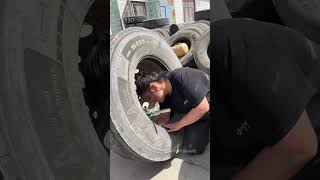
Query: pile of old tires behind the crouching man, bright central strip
x=189, y=33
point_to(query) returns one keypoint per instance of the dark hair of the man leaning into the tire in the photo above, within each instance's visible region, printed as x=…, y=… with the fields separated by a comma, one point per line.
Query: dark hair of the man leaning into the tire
x=143, y=80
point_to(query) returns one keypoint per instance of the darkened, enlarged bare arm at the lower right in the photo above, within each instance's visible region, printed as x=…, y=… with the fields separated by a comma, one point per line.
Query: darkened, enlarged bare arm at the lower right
x=283, y=160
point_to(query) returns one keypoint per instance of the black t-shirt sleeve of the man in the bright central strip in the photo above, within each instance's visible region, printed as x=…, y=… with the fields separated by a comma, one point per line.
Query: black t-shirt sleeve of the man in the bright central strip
x=194, y=85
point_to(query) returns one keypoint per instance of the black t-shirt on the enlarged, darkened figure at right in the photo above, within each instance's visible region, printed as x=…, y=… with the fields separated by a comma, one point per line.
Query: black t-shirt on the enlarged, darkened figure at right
x=261, y=78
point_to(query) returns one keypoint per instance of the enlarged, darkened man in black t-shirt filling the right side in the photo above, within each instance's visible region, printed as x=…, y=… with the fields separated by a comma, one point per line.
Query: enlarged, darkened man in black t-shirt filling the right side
x=264, y=78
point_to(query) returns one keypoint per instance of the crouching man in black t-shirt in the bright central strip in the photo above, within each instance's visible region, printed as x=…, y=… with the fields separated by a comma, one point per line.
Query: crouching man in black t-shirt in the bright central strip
x=184, y=91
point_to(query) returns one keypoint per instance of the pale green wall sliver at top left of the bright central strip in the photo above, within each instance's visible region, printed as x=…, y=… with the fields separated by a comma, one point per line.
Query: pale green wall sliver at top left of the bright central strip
x=115, y=20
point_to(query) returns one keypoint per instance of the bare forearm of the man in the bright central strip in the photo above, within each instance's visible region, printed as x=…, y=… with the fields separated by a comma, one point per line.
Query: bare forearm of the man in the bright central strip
x=191, y=117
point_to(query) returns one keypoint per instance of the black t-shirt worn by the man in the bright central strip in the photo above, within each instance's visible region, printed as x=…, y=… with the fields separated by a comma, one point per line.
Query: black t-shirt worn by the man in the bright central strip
x=189, y=87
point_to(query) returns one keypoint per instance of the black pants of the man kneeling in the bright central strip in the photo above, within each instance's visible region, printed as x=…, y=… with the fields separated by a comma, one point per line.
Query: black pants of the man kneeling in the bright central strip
x=196, y=136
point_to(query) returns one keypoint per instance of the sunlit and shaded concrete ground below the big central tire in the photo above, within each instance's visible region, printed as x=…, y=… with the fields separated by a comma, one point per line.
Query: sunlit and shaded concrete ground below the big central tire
x=183, y=167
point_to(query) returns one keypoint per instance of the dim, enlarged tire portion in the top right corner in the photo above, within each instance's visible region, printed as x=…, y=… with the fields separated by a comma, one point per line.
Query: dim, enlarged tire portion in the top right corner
x=301, y=15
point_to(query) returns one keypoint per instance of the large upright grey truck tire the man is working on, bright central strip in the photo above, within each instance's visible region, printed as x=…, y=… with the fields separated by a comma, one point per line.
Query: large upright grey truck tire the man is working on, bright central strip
x=136, y=135
